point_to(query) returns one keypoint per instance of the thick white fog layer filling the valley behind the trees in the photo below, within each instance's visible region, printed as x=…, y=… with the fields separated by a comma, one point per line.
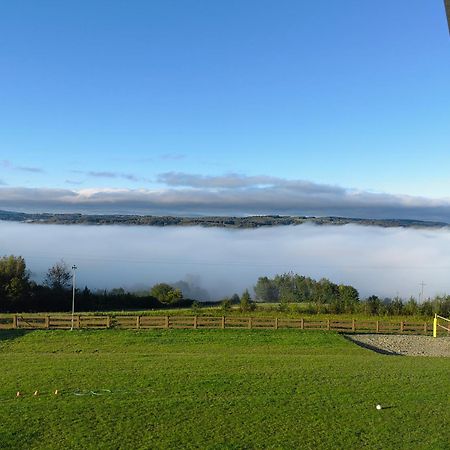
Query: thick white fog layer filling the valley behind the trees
x=385, y=262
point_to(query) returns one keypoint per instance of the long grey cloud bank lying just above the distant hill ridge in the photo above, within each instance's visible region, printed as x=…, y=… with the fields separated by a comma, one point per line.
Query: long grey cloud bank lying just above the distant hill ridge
x=232, y=194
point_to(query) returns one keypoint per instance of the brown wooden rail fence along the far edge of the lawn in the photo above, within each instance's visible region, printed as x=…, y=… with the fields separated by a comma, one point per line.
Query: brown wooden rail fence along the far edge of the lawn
x=53, y=322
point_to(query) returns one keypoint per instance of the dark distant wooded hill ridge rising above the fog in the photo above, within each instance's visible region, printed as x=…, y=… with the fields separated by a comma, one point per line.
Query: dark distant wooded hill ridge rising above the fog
x=208, y=221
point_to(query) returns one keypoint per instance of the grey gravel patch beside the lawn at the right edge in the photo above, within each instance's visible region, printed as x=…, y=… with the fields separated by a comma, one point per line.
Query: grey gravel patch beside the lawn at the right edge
x=408, y=345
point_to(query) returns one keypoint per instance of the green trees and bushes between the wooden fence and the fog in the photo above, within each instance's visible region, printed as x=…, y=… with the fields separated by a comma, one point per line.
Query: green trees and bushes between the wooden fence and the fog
x=18, y=293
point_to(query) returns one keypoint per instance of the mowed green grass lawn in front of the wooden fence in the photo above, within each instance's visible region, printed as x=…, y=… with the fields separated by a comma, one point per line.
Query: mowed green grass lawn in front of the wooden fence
x=216, y=389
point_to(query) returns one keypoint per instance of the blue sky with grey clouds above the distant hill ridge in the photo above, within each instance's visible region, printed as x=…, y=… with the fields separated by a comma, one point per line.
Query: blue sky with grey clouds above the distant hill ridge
x=237, y=107
